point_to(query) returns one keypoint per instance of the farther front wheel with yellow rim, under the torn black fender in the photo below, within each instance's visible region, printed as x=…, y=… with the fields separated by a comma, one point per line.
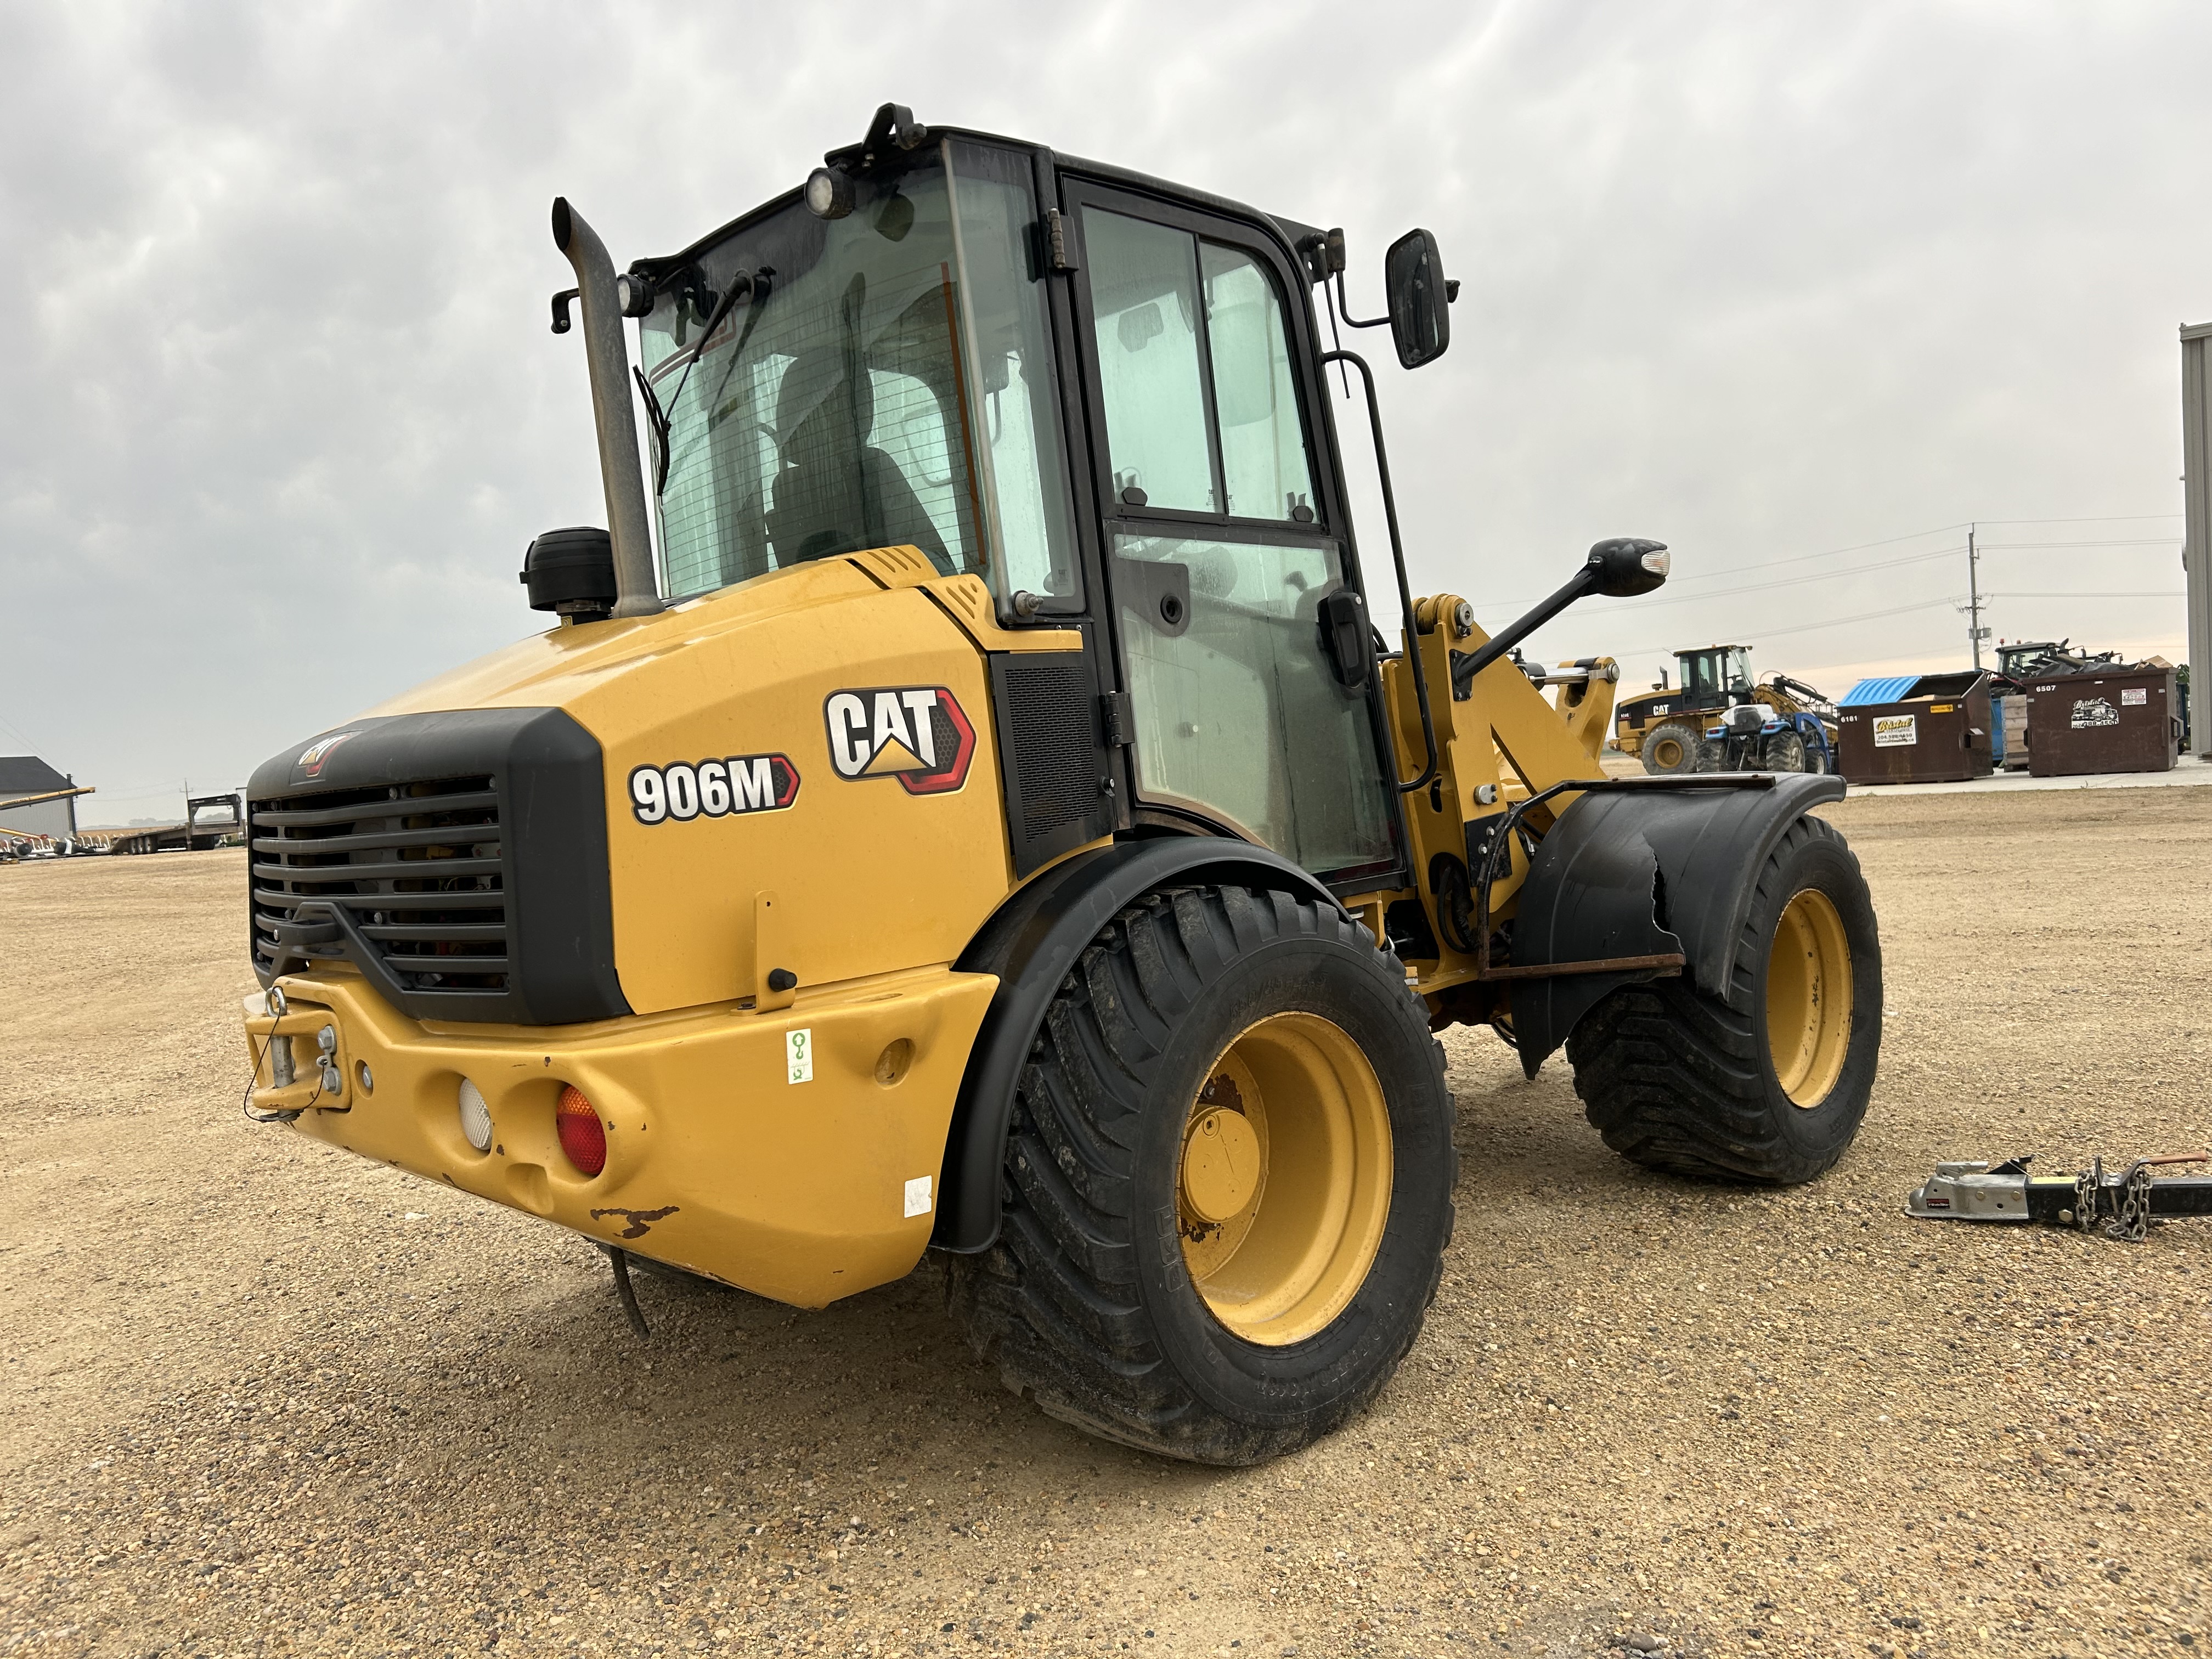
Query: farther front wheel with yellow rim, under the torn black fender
x=1768, y=1083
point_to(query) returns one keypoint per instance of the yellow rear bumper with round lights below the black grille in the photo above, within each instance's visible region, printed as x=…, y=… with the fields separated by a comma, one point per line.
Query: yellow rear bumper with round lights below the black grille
x=716, y=1158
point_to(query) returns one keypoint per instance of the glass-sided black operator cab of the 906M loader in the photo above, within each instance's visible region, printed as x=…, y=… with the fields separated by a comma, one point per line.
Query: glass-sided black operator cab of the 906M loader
x=1092, y=390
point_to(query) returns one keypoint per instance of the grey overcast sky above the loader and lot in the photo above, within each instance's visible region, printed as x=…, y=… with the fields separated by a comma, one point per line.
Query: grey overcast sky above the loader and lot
x=1757, y=280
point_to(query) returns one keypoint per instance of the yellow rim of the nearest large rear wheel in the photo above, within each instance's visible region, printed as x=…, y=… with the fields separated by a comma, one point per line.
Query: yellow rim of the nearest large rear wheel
x=1284, y=1180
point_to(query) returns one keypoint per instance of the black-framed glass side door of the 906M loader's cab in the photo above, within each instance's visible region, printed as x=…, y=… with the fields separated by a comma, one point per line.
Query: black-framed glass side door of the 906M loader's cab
x=1220, y=545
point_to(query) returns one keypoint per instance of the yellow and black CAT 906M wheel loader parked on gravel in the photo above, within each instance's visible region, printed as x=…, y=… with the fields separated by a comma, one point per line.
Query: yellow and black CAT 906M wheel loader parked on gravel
x=985, y=820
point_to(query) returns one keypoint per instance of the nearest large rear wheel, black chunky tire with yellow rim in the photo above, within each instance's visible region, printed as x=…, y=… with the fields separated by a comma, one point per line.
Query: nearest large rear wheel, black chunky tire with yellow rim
x=1151, y=1282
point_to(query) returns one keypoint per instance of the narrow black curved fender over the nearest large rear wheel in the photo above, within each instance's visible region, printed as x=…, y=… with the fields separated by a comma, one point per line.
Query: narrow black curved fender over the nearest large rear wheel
x=1032, y=943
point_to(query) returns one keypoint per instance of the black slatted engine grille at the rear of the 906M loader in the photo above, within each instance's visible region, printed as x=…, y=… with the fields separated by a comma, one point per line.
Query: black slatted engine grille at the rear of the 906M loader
x=417, y=866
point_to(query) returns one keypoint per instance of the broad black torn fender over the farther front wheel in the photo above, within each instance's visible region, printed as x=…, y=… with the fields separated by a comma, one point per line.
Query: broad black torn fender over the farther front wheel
x=1640, y=875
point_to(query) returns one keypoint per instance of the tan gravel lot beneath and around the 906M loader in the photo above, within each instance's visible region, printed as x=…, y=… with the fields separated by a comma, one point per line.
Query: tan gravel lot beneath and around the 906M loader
x=269, y=1399
